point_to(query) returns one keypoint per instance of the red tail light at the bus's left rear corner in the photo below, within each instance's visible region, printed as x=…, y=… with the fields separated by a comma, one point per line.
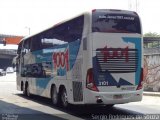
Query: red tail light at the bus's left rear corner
x=90, y=84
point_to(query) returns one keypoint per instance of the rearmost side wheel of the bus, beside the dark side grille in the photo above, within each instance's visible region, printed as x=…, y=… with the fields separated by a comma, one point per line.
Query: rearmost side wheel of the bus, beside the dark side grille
x=64, y=98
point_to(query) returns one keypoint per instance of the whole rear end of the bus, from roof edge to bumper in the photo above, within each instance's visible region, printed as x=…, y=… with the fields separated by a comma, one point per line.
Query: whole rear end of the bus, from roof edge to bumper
x=116, y=72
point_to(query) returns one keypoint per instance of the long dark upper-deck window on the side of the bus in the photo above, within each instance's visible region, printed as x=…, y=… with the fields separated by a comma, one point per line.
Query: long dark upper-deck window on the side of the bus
x=67, y=32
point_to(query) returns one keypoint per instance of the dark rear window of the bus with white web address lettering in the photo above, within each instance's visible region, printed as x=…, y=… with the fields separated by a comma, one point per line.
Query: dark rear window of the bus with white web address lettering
x=115, y=23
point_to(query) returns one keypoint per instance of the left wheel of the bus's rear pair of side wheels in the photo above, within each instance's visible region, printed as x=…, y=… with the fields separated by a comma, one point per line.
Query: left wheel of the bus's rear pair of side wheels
x=54, y=96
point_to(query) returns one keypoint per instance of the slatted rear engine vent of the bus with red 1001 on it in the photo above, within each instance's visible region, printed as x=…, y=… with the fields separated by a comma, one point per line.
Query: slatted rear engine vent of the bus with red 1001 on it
x=115, y=61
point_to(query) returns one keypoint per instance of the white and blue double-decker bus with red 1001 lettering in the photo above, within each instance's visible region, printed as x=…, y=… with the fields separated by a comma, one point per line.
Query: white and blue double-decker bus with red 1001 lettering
x=94, y=58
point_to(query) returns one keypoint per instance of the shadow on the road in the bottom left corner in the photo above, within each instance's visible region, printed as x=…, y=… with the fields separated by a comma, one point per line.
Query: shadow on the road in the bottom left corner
x=10, y=111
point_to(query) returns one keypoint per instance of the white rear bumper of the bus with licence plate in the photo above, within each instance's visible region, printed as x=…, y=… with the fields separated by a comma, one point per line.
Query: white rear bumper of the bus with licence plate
x=113, y=98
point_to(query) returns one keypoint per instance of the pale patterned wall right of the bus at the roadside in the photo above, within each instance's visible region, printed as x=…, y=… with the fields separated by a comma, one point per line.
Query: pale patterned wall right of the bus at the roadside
x=152, y=72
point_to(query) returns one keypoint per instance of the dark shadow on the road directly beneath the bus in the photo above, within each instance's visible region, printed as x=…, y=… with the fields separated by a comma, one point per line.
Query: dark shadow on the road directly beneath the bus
x=86, y=111
